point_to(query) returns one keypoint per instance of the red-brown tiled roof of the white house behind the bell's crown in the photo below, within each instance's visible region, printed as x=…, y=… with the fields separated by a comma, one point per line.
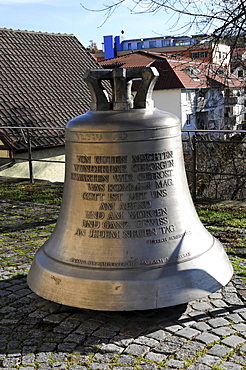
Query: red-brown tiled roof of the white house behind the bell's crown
x=174, y=71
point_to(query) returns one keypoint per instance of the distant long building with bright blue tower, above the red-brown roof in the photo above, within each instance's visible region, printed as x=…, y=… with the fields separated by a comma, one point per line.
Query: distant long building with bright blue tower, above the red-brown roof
x=198, y=47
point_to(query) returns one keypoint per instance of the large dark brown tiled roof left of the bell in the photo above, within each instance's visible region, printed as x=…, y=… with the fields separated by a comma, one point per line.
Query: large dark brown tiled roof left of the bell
x=42, y=85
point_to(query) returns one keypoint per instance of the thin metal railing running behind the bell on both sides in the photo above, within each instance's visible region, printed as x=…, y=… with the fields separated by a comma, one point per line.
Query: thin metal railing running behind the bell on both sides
x=193, y=141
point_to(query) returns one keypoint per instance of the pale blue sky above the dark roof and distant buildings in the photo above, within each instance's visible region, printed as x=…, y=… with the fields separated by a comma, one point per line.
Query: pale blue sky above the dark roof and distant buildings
x=67, y=16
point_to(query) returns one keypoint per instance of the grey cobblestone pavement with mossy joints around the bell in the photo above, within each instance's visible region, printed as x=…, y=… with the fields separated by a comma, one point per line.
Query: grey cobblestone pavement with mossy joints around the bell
x=37, y=334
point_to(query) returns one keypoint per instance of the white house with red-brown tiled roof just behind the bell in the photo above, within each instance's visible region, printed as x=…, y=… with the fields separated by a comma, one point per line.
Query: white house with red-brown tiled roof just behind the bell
x=202, y=95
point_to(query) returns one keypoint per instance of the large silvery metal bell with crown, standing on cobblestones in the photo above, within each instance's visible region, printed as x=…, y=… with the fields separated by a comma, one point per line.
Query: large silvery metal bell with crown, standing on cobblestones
x=128, y=236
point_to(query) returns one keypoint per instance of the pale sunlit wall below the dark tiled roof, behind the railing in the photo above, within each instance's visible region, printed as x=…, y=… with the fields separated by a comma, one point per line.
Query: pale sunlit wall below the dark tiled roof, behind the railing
x=41, y=170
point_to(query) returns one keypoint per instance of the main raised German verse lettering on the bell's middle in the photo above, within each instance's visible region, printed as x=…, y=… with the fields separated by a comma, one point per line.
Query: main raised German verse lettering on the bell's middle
x=124, y=201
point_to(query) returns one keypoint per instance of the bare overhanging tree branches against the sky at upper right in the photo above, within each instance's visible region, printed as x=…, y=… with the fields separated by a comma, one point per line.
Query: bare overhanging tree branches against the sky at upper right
x=222, y=19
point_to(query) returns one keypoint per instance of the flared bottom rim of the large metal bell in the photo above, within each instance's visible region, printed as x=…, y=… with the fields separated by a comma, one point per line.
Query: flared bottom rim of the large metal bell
x=130, y=289
